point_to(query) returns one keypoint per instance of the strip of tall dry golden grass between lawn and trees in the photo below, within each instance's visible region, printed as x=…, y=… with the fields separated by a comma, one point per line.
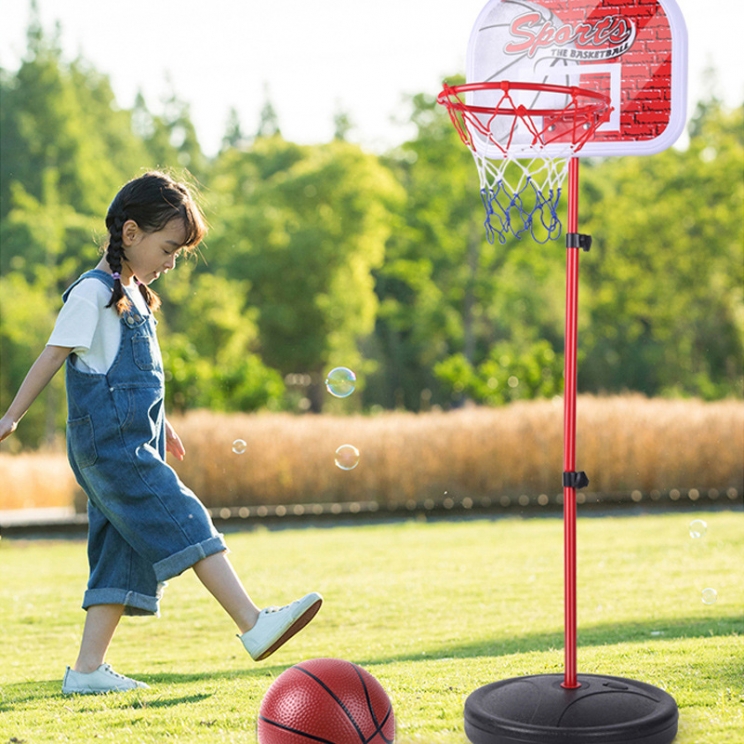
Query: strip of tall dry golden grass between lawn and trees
x=625, y=444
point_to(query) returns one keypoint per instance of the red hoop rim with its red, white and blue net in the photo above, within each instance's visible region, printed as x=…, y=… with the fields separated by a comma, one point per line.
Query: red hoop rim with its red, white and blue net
x=522, y=153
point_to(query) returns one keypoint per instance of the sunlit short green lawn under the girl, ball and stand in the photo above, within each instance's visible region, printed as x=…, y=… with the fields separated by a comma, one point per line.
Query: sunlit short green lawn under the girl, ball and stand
x=433, y=610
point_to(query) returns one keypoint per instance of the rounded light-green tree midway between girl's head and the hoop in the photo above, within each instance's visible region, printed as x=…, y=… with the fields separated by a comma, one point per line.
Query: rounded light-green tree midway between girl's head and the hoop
x=306, y=226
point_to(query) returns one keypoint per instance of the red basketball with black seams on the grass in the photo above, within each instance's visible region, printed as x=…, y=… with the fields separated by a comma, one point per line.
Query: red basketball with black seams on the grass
x=326, y=700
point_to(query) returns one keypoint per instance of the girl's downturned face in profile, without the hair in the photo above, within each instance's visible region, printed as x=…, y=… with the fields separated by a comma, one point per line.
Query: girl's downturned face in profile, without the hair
x=151, y=254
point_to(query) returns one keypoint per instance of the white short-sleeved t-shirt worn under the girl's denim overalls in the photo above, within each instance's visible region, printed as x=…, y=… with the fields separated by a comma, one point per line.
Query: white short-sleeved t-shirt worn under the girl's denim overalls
x=89, y=328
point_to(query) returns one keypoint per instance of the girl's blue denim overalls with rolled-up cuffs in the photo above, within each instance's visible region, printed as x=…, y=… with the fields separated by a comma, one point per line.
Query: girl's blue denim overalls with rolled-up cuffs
x=145, y=526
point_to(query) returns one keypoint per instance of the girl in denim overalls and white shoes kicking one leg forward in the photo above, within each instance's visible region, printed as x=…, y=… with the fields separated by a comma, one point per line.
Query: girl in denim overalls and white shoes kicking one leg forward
x=145, y=526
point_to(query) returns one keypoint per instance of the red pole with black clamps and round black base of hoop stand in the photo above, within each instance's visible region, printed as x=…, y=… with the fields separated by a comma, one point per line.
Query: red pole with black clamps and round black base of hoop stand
x=571, y=708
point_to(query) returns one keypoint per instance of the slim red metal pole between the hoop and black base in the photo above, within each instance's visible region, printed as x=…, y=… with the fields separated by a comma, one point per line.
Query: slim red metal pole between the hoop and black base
x=569, y=430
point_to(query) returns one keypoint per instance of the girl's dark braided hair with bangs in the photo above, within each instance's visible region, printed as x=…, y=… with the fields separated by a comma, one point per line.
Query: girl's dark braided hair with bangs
x=152, y=201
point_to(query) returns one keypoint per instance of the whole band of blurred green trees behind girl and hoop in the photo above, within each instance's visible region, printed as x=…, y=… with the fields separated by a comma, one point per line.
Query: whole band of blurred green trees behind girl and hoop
x=328, y=255
